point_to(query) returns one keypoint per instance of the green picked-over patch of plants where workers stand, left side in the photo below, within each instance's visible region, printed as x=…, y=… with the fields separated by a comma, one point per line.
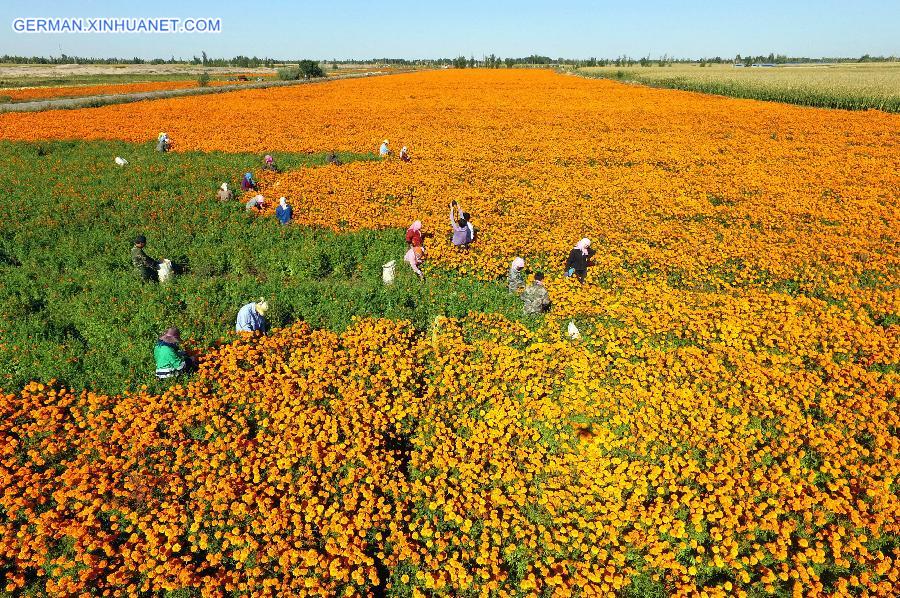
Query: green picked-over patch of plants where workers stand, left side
x=73, y=310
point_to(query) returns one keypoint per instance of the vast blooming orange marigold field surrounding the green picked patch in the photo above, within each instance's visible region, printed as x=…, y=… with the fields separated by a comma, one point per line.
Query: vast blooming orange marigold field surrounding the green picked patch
x=728, y=424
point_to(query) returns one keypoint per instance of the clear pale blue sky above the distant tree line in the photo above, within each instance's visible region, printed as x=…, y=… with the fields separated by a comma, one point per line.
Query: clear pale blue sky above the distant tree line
x=410, y=29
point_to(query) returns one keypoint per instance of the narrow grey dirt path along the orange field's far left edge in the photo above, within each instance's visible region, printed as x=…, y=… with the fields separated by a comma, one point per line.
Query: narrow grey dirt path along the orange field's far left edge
x=95, y=101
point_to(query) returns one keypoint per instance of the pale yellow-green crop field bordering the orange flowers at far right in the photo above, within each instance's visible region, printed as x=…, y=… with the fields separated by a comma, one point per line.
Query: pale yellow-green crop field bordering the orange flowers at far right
x=855, y=86
